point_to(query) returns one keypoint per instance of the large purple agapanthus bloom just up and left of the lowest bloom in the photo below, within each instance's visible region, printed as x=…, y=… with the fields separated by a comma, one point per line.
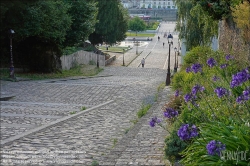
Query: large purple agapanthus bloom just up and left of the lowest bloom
x=186, y=132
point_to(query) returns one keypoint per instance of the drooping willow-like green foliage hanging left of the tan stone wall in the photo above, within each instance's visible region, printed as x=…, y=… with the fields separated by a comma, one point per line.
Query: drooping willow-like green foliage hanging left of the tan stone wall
x=194, y=25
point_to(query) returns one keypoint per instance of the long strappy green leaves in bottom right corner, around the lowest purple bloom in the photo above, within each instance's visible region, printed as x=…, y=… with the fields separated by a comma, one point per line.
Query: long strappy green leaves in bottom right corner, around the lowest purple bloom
x=235, y=136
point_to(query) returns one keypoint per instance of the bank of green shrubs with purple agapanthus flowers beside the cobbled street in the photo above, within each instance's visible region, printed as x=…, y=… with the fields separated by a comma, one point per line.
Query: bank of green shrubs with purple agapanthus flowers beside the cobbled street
x=215, y=115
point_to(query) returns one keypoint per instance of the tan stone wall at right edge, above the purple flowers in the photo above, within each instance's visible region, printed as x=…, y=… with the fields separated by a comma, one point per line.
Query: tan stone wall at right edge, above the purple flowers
x=231, y=42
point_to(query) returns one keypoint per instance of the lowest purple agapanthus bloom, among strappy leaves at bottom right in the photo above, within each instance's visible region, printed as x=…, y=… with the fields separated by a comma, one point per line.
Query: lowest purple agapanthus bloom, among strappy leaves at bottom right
x=215, y=147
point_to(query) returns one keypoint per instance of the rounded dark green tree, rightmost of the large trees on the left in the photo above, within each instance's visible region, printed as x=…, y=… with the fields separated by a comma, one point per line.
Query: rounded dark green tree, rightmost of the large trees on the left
x=111, y=26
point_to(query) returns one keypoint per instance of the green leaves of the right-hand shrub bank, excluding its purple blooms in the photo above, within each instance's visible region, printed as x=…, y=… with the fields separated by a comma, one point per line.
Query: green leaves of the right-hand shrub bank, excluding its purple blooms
x=218, y=118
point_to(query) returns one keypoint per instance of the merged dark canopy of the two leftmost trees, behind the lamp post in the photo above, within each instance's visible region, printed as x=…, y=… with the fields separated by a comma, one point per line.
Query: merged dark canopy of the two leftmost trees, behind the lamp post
x=44, y=26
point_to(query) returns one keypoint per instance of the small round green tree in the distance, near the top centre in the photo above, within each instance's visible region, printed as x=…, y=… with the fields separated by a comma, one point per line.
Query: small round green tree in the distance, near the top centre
x=136, y=24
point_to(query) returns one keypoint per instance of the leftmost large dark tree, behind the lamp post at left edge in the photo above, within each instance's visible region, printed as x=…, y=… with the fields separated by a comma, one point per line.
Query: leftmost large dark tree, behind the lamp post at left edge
x=40, y=29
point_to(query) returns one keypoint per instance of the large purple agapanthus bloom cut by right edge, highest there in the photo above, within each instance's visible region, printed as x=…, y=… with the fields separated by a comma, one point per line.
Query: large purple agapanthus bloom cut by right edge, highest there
x=240, y=77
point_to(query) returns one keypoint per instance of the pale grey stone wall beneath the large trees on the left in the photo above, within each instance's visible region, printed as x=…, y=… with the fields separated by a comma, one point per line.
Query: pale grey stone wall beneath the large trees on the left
x=81, y=57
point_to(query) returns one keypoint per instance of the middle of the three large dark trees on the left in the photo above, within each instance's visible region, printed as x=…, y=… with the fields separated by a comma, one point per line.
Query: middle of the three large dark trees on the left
x=83, y=13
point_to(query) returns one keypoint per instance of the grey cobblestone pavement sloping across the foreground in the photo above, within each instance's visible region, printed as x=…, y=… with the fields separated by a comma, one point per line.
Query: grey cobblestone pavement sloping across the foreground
x=84, y=138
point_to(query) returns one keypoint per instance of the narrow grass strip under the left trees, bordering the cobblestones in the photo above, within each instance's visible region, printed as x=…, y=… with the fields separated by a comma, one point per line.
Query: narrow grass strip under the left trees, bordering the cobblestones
x=81, y=70
